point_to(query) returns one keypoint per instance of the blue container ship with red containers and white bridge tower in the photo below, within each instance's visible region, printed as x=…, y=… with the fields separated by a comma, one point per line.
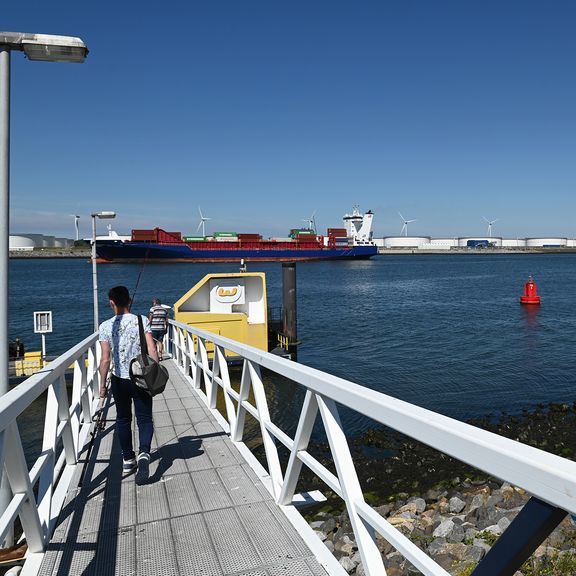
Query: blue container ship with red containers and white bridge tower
x=353, y=241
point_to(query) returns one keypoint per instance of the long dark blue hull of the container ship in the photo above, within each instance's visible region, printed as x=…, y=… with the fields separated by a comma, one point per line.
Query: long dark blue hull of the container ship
x=146, y=252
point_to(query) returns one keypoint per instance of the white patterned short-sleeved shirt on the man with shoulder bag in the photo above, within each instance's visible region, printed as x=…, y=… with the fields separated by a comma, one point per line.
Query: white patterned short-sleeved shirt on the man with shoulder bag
x=121, y=332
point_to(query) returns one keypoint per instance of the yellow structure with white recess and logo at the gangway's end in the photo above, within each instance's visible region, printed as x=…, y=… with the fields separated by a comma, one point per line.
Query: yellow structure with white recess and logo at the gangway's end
x=231, y=305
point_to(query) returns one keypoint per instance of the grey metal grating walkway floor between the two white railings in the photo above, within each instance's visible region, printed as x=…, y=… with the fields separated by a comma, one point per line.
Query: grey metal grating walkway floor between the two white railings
x=204, y=510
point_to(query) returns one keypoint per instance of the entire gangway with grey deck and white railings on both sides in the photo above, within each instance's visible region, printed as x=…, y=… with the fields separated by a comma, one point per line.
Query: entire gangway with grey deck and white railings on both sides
x=237, y=508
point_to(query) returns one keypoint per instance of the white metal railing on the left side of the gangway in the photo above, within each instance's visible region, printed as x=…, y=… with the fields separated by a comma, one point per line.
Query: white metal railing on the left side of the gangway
x=66, y=429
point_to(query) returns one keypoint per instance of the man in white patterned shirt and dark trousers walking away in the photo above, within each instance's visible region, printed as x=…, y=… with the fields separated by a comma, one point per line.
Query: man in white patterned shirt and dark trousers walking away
x=120, y=343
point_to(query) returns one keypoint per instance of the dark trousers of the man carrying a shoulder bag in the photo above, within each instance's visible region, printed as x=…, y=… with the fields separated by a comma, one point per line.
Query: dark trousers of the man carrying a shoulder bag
x=124, y=392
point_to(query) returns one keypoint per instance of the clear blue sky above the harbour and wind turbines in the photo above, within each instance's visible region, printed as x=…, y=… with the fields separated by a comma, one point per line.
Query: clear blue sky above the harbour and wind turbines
x=263, y=112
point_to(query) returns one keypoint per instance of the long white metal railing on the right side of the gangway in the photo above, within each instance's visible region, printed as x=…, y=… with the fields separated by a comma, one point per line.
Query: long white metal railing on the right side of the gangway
x=548, y=477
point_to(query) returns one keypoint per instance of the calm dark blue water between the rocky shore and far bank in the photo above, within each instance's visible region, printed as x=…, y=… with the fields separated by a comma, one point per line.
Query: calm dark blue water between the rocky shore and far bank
x=443, y=332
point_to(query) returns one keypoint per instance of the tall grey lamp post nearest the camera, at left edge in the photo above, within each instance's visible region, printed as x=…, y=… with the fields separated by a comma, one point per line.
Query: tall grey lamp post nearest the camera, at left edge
x=47, y=48
